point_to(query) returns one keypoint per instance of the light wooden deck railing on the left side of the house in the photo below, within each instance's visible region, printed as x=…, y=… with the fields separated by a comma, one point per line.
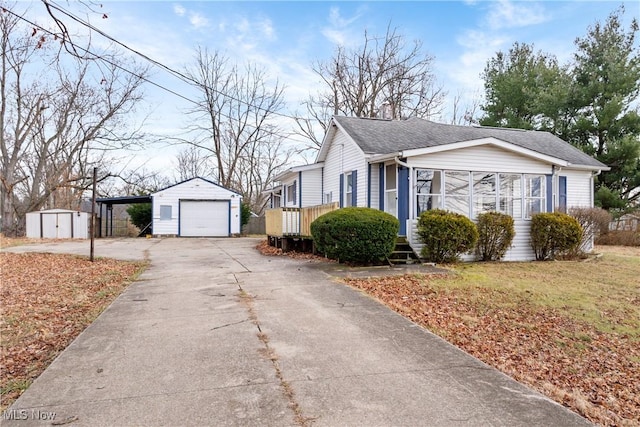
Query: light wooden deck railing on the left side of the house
x=281, y=222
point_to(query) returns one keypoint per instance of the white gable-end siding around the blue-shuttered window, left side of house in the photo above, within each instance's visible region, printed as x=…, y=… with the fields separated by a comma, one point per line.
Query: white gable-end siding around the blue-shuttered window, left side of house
x=345, y=156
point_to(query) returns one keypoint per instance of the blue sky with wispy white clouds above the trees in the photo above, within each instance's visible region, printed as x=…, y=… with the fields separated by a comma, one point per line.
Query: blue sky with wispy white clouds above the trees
x=285, y=38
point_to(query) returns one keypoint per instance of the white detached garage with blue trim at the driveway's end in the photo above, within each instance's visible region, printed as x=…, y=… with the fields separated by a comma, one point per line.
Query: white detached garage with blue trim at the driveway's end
x=196, y=208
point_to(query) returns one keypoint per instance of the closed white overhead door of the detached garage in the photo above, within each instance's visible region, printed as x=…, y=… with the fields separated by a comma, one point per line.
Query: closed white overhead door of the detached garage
x=204, y=218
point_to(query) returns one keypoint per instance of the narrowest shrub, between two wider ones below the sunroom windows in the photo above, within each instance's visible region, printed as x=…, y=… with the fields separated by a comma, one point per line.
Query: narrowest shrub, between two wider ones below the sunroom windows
x=495, y=234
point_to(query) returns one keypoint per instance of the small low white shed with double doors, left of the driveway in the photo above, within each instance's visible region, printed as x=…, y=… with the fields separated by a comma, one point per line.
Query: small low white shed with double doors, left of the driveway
x=58, y=224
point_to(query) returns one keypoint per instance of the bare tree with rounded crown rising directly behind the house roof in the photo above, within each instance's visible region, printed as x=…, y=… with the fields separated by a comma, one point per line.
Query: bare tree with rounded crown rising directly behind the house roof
x=383, y=70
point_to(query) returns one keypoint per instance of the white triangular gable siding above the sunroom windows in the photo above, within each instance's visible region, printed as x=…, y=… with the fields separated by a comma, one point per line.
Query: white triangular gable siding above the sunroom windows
x=481, y=158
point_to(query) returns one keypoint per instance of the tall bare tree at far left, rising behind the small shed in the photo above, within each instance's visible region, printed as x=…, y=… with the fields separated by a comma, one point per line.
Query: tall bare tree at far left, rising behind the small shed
x=58, y=125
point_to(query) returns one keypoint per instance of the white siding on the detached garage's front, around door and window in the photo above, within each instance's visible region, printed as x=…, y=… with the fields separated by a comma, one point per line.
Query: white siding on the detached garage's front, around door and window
x=195, y=189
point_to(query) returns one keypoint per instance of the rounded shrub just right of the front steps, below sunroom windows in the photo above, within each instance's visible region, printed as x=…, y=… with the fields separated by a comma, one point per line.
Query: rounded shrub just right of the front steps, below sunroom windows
x=445, y=235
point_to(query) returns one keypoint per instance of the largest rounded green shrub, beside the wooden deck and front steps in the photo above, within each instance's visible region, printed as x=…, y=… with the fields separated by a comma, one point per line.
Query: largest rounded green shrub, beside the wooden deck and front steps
x=355, y=235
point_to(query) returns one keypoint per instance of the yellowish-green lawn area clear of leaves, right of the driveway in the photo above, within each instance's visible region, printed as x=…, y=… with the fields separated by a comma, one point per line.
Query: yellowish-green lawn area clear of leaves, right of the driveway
x=603, y=292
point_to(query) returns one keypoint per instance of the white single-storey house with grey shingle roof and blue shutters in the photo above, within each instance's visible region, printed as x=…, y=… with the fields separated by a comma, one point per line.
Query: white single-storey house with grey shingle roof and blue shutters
x=405, y=167
